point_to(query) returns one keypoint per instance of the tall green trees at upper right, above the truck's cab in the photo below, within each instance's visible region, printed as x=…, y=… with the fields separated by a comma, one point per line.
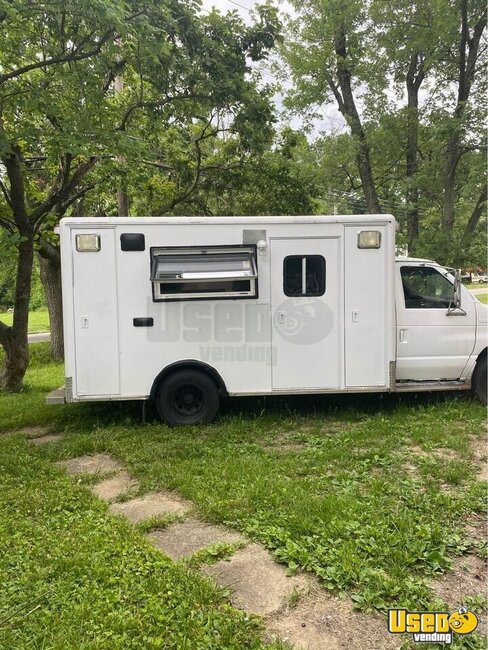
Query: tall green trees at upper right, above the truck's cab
x=413, y=71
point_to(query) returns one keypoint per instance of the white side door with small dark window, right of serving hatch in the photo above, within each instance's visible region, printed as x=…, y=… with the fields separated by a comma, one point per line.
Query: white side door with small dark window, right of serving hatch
x=306, y=319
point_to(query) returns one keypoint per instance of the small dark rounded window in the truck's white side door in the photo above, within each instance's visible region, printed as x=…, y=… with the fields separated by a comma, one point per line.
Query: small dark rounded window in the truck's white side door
x=304, y=275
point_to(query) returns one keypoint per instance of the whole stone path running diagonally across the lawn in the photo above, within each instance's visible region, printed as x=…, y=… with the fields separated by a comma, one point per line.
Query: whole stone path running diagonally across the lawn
x=294, y=609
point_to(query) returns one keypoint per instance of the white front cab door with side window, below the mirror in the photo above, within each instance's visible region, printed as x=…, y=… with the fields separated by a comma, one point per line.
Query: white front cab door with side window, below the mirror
x=431, y=345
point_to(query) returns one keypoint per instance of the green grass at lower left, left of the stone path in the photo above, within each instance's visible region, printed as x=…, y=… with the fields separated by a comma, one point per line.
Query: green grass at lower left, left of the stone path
x=74, y=578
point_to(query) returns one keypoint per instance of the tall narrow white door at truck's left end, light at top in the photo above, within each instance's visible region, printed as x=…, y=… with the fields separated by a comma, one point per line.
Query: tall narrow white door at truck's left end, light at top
x=95, y=314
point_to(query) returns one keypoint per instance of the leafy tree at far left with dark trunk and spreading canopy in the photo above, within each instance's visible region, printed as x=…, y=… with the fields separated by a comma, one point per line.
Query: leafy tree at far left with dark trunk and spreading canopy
x=62, y=126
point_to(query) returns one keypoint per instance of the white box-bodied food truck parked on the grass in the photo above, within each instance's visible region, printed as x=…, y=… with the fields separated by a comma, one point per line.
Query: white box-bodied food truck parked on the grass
x=183, y=310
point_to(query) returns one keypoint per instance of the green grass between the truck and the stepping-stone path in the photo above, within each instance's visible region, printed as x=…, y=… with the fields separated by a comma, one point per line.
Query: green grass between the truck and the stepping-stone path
x=360, y=491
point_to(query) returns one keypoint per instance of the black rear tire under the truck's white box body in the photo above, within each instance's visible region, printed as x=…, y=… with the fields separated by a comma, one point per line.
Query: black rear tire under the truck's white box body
x=187, y=397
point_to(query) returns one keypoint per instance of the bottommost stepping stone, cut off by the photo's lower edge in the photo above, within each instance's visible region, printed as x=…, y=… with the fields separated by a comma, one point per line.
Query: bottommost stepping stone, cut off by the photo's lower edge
x=320, y=621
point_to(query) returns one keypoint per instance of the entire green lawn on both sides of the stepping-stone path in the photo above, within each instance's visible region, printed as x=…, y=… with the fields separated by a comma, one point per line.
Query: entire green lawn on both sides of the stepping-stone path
x=371, y=495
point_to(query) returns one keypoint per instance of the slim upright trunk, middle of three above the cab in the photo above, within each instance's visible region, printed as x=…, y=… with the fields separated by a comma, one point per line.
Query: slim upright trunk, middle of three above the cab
x=414, y=78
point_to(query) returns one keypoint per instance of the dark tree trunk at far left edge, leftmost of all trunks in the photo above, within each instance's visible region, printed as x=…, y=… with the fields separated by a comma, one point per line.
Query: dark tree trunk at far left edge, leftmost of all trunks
x=14, y=339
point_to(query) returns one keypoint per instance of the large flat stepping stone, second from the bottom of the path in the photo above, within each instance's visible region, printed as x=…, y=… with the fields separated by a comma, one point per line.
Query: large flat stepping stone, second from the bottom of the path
x=259, y=584
